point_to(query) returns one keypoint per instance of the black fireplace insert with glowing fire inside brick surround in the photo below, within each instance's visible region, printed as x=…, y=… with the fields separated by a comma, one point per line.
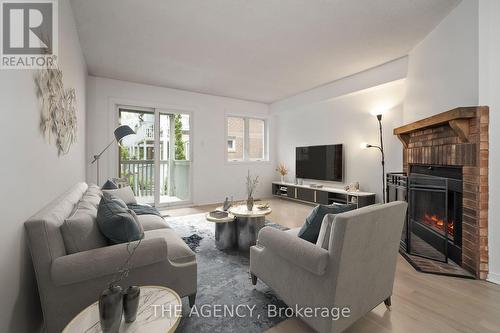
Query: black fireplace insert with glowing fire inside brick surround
x=434, y=226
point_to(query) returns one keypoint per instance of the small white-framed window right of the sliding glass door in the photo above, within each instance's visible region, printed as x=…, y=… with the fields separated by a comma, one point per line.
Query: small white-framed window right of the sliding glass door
x=246, y=139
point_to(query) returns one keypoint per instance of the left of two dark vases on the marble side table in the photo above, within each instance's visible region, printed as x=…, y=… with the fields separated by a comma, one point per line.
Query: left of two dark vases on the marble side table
x=111, y=309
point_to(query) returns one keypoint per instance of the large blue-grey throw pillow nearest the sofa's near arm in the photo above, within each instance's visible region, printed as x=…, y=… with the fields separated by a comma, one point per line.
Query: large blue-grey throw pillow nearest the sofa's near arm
x=117, y=222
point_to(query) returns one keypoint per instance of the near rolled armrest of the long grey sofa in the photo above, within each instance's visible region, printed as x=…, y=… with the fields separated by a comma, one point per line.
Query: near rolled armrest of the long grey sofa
x=95, y=263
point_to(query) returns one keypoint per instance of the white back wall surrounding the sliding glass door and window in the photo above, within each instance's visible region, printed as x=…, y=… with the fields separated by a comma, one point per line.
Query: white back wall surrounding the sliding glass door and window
x=213, y=177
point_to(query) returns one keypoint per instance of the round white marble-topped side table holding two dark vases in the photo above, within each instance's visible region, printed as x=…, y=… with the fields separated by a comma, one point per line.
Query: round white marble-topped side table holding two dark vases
x=160, y=310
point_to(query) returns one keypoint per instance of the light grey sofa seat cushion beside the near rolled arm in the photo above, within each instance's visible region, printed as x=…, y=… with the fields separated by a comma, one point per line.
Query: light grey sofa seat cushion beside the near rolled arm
x=177, y=250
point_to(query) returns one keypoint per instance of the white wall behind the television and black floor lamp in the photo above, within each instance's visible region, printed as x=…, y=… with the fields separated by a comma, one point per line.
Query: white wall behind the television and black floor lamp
x=347, y=120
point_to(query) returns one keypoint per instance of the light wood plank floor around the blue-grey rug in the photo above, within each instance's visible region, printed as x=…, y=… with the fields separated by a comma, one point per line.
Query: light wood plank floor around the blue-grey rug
x=421, y=303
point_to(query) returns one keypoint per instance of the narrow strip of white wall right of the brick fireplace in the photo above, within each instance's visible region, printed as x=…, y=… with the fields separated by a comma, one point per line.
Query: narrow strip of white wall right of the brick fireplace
x=489, y=87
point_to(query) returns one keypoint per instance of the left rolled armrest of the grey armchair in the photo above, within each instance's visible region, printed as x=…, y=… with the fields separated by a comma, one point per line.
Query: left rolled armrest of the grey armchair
x=297, y=251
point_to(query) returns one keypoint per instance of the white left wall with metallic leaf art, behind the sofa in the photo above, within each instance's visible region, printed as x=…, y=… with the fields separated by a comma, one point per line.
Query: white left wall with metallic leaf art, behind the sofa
x=33, y=174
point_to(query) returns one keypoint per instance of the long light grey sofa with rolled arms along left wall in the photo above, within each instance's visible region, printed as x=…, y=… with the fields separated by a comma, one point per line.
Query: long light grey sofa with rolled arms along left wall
x=67, y=283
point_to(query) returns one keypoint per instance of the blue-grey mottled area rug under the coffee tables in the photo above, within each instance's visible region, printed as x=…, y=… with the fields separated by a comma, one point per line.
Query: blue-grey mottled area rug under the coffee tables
x=224, y=285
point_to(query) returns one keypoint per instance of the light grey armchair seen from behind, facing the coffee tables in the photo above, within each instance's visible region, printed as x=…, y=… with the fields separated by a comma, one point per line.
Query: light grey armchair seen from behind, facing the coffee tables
x=352, y=264
